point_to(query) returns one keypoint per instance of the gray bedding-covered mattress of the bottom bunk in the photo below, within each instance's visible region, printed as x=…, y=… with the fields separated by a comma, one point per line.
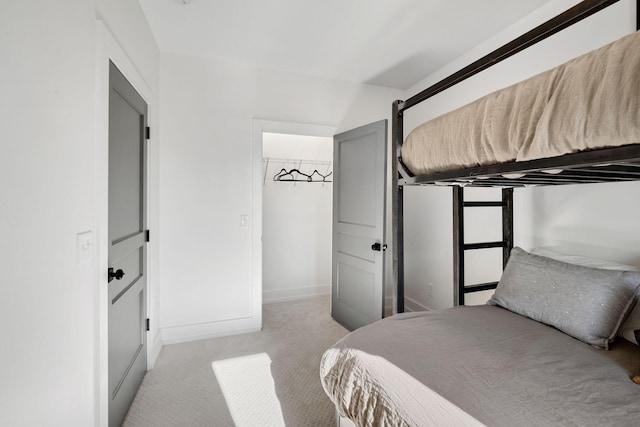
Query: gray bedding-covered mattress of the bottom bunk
x=479, y=365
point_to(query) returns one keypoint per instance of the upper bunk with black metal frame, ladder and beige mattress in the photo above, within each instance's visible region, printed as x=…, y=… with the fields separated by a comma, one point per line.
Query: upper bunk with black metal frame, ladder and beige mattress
x=542, y=146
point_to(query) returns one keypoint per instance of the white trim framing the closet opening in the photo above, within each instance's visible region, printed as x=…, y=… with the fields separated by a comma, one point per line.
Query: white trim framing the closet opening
x=259, y=128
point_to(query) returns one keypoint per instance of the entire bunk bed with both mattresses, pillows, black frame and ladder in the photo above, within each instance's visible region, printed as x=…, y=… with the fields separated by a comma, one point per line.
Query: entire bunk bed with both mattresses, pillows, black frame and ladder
x=562, y=353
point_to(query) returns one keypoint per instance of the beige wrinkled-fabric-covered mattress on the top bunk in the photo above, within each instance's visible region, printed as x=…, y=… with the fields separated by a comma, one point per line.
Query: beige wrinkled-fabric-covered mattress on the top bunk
x=590, y=102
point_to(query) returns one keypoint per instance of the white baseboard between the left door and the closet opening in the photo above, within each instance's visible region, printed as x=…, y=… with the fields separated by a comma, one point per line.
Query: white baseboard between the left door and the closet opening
x=203, y=331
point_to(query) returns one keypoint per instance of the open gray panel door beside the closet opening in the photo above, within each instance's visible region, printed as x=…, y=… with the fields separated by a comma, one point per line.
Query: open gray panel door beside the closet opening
x=360, y=171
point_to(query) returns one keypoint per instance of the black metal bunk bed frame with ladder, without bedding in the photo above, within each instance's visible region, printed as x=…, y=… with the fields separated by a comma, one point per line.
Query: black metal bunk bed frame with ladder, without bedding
x=596, y=166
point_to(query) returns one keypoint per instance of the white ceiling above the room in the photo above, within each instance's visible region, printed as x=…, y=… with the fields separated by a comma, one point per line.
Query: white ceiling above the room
x=392, y=43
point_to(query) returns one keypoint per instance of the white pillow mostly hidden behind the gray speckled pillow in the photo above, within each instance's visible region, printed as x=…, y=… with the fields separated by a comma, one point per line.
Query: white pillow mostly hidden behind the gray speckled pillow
x=630, y=329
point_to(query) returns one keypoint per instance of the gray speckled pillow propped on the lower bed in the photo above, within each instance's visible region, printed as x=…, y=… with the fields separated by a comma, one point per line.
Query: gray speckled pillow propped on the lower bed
x=587, y=303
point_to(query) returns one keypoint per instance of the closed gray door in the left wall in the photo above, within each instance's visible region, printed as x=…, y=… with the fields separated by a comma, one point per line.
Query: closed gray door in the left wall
x=127, y=244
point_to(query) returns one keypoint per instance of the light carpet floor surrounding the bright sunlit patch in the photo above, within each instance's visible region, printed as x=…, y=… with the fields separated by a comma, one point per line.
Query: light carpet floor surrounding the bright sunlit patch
x=182, y=389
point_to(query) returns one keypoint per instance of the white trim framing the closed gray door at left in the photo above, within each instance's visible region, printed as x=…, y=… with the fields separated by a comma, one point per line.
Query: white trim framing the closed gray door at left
x=108, y=49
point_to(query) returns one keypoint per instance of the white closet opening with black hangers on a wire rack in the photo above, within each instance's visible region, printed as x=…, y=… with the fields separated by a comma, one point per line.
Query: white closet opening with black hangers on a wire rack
x=296, y=216
